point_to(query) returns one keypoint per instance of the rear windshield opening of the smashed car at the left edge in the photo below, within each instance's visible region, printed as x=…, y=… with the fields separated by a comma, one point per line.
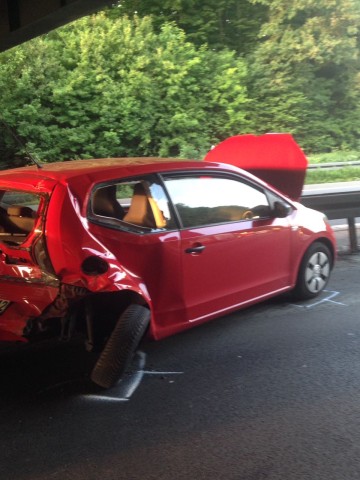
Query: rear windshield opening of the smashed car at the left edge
x=18, y=212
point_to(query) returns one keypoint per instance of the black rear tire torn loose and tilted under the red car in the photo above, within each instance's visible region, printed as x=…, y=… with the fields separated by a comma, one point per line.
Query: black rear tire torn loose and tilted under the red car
x=119, y=350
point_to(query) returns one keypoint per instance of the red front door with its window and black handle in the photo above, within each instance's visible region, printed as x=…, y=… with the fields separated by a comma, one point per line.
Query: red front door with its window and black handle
x=234, y=252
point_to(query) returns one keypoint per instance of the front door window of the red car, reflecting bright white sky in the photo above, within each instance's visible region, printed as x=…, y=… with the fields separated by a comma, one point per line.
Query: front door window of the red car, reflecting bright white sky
x=206, y=200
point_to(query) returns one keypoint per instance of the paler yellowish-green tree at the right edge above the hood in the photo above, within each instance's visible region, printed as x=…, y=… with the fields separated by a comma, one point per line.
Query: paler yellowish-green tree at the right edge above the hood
x=304, y=75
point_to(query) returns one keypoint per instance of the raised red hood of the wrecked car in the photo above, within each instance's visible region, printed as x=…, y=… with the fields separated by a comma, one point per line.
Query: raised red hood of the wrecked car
x=274, y=157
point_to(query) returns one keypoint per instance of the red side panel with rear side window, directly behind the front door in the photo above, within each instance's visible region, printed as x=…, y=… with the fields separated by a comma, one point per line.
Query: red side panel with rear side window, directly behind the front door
x=132, y=218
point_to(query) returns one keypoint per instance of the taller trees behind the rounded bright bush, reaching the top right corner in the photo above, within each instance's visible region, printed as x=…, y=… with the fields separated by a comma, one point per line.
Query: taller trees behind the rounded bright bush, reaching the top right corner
x=303, y=59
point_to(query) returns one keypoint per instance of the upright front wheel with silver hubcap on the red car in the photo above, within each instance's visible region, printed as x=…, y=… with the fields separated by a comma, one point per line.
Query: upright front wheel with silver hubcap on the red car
x=314, y=271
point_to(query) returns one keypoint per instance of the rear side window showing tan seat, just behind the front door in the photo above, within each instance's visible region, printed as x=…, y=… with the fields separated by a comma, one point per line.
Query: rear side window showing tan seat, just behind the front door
x=134, y=204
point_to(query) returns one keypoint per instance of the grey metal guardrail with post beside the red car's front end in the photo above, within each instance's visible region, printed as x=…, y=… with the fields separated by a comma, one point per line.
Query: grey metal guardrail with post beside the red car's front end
x=337, y=201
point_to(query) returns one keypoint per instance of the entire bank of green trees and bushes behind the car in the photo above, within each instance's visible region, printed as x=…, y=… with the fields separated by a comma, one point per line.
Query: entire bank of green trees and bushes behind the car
x=171, y=78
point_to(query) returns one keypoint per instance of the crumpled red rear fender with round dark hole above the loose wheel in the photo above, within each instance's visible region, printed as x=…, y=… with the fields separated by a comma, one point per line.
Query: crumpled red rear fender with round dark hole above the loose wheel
x=71, y=245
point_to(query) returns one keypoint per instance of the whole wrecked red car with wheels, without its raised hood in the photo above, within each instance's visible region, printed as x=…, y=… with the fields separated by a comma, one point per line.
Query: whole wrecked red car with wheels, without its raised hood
x=116, y=248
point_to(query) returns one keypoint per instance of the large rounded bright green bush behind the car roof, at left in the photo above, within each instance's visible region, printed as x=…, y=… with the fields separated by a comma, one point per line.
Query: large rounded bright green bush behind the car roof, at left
x=114, y=87
